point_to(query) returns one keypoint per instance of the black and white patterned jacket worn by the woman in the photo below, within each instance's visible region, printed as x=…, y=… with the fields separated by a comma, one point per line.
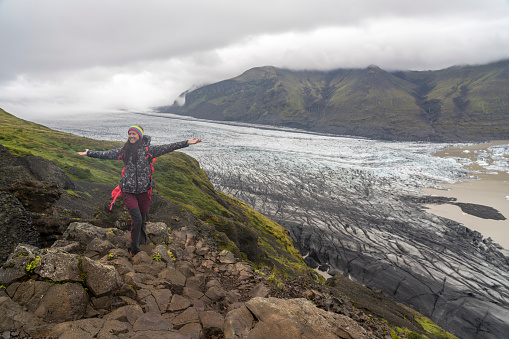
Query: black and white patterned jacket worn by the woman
x=136, y=178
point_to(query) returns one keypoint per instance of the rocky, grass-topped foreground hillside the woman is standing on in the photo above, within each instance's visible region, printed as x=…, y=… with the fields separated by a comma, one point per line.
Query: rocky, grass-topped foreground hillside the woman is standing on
x=195, y=231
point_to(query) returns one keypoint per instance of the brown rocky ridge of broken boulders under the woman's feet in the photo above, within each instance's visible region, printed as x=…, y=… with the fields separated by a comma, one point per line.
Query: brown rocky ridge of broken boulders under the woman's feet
x=87, y=285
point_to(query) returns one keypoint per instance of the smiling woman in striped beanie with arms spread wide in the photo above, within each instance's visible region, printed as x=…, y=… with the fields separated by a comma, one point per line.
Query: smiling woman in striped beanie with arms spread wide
x=136, y=183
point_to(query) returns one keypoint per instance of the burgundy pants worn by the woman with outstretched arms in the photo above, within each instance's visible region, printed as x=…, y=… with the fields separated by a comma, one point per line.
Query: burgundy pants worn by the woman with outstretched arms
x=138, y=205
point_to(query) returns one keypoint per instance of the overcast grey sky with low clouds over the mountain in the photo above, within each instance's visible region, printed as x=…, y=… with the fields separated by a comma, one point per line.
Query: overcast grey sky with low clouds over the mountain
x=88, y=56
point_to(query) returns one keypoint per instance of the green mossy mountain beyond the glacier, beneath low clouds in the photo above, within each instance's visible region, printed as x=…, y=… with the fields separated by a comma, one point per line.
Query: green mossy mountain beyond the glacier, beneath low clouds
x=460, y=103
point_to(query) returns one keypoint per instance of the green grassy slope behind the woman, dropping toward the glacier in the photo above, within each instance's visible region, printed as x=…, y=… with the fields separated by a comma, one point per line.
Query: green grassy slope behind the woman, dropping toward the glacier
x=179, y=179
